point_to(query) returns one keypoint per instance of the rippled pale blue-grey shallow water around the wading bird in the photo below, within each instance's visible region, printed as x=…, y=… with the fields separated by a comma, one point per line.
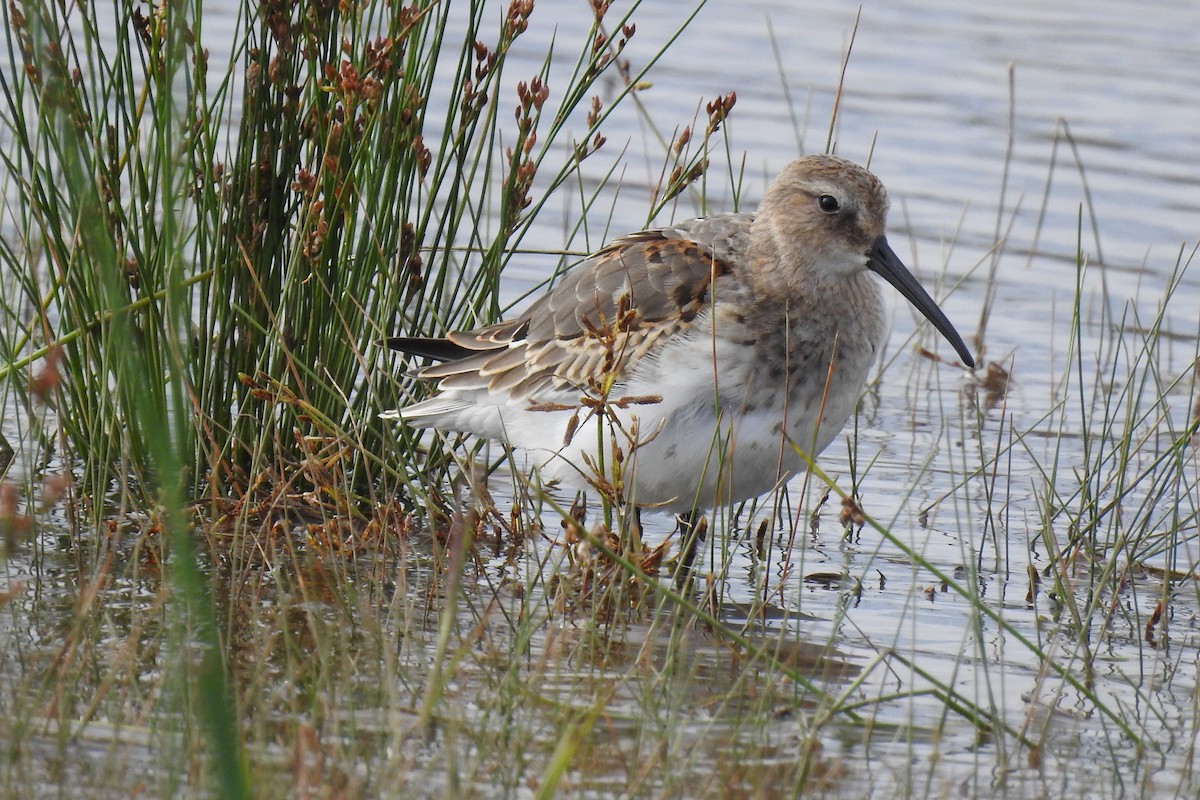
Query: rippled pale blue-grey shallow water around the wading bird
x=927, y=98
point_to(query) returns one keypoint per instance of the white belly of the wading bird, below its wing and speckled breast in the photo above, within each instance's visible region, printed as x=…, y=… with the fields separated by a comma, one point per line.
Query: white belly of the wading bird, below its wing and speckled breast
x=710, y=441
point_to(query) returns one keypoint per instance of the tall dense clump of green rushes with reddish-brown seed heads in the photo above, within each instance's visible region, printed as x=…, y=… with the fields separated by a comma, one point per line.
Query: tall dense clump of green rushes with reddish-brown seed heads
x=212, y=254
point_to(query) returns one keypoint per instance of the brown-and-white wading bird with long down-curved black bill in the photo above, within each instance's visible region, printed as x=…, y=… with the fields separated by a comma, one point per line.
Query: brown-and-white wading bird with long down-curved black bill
x=711, y=359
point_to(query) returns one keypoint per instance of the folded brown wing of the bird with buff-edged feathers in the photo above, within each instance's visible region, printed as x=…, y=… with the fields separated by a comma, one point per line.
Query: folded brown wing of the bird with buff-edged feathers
x=607, y=314
